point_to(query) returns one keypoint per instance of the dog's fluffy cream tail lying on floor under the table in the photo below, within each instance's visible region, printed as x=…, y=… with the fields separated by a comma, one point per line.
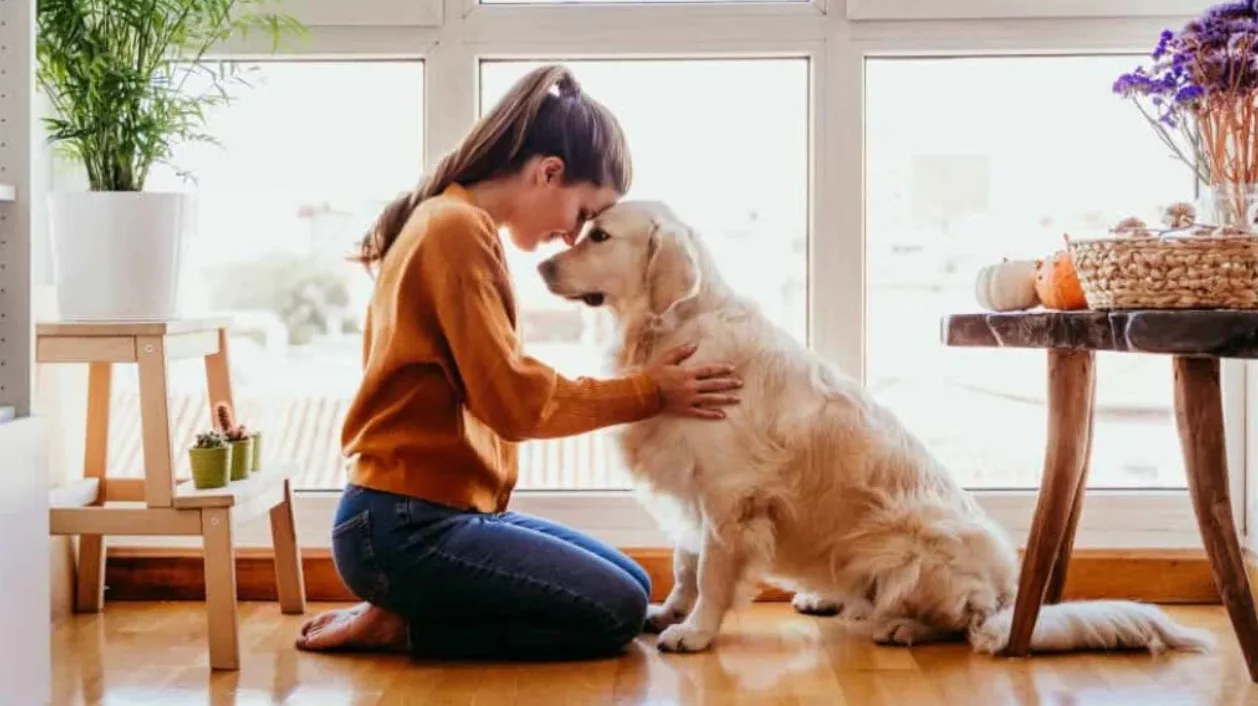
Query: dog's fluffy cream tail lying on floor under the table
x=1094, y=626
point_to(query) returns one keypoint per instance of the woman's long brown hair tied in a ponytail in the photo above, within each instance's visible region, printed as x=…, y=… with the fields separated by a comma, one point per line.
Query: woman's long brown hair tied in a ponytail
x=529, y=121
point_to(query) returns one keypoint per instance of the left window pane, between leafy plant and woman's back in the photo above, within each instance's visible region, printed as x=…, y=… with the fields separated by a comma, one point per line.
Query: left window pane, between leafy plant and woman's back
x=308, y=159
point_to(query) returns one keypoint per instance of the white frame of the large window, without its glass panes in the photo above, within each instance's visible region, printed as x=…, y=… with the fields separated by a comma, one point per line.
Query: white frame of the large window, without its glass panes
x=837, y=47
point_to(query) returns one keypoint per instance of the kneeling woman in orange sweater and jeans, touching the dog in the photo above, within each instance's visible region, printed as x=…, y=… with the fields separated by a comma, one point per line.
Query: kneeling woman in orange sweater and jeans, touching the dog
x=422, y=534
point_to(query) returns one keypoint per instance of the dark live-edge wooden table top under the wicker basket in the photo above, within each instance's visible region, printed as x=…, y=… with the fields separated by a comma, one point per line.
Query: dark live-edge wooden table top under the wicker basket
x=1197, y=333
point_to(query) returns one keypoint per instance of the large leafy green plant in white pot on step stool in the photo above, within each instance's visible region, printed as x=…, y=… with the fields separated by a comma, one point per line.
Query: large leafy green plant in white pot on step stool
x=116, y=75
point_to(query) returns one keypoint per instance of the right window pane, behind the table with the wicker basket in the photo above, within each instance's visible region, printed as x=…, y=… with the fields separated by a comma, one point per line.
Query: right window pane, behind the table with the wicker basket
x=976, y=159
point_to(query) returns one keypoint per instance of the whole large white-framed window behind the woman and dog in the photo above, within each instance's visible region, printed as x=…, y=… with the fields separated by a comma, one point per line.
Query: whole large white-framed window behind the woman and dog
x=933, y=148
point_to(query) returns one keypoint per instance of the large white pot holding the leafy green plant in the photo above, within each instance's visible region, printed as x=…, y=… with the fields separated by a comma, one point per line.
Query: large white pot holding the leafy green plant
x=118, y=255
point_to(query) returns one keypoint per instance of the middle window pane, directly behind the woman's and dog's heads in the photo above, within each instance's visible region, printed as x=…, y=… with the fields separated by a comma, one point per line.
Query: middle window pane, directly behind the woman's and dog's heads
x=732, y=160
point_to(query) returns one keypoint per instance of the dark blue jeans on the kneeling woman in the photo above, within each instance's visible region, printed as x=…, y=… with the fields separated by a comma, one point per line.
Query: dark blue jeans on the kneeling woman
x=498, y=587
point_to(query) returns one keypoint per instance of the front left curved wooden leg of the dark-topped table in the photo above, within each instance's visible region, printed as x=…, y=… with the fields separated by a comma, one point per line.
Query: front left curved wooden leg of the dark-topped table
x=1071, y=379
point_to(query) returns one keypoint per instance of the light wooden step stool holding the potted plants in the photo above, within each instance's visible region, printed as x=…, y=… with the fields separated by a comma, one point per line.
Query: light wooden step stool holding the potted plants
x=155, y=505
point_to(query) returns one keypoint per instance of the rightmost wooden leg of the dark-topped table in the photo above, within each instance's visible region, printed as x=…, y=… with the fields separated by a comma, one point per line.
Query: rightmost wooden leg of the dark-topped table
x=1200, y=416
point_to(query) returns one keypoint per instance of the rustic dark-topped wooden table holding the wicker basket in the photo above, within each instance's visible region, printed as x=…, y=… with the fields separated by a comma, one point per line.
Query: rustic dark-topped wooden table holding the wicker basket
x=1197, y=340
